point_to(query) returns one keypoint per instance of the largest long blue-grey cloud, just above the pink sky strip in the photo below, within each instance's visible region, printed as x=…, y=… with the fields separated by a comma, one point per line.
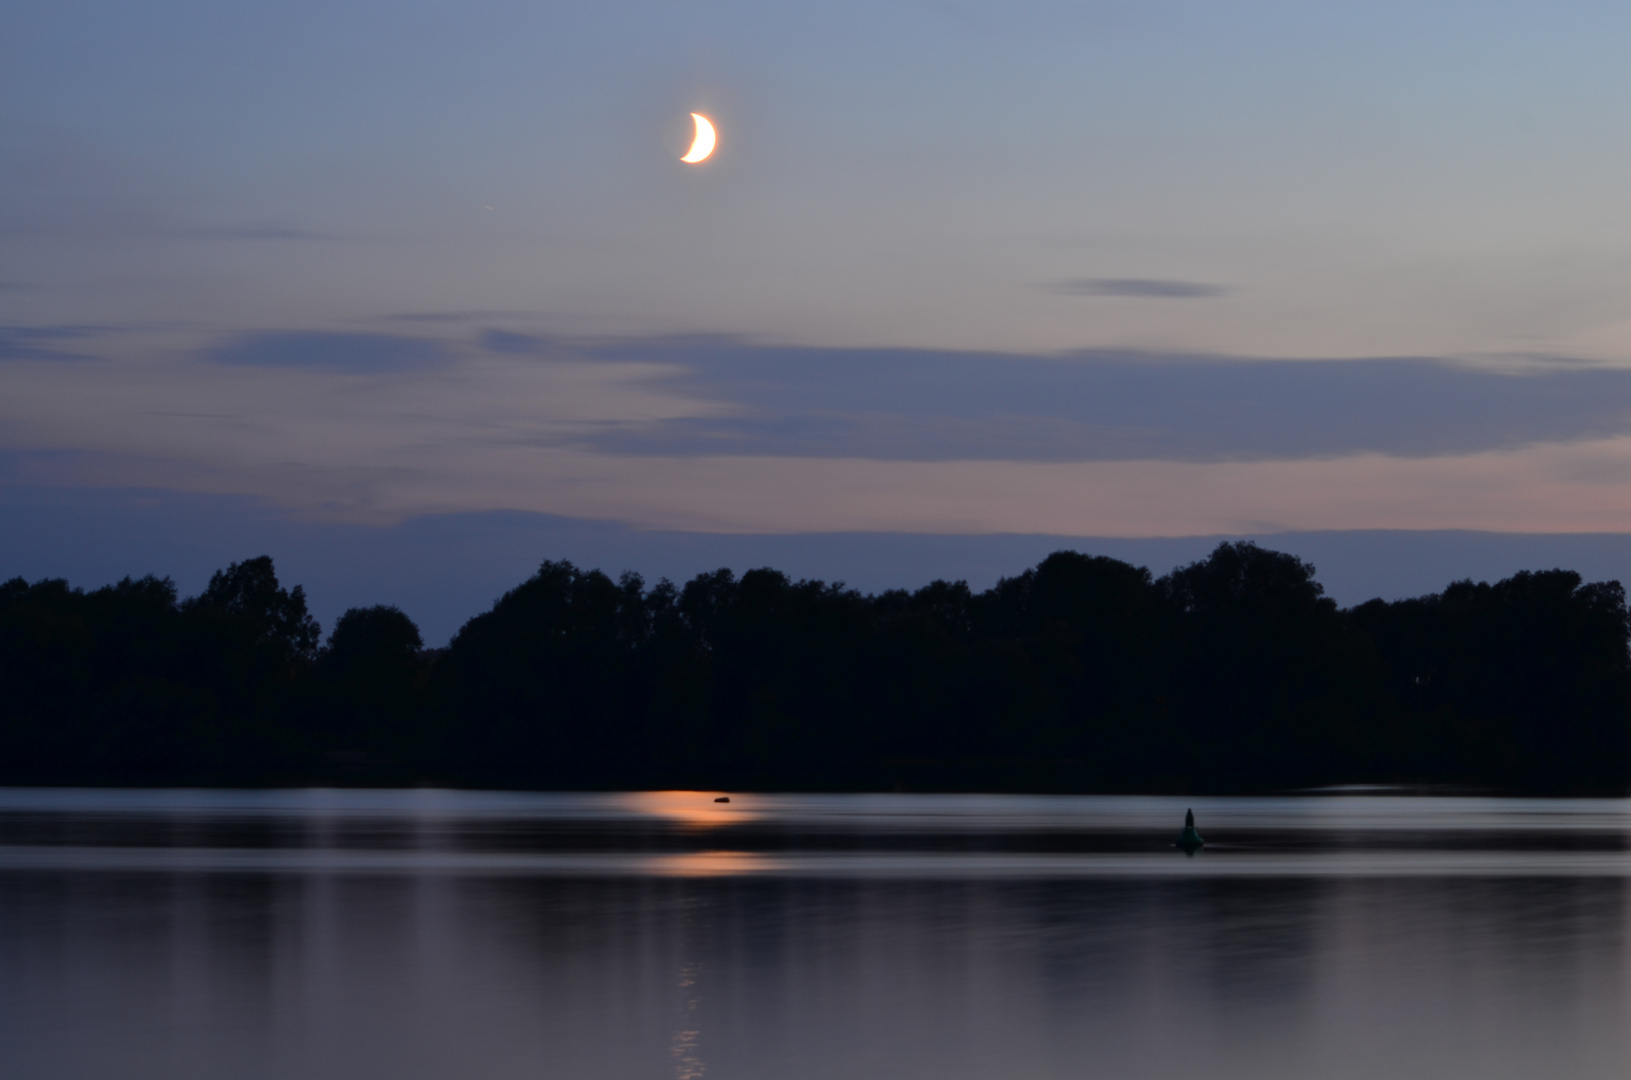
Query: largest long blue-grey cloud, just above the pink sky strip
x=1105, y=405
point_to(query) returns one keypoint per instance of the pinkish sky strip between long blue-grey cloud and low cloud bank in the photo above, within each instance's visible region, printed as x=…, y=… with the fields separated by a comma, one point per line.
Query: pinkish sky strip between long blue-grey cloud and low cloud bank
x=1542, y=490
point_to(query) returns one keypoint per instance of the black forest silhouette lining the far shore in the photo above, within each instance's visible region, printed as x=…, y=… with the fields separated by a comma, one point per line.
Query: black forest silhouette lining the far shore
x=1082, y=675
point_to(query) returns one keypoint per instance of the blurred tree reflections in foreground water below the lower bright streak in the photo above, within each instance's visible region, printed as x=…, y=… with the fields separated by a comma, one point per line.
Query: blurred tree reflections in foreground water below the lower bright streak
x=198, y=975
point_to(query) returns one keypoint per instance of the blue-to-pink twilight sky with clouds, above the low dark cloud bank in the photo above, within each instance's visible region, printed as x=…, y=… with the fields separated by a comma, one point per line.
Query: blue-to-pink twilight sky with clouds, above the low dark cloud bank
x=1089, y=270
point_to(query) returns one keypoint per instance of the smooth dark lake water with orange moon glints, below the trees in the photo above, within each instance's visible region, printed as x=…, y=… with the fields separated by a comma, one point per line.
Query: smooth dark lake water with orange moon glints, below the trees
x=666, y=937
